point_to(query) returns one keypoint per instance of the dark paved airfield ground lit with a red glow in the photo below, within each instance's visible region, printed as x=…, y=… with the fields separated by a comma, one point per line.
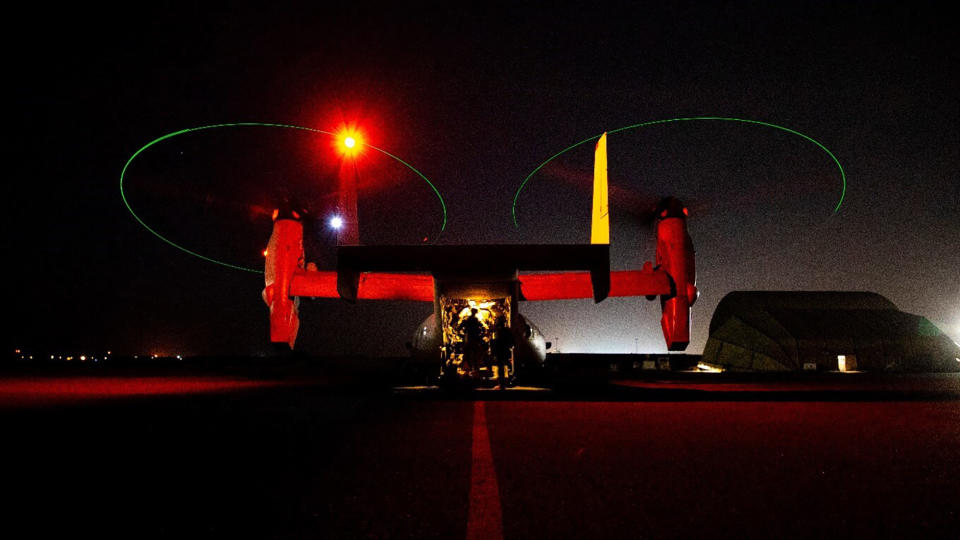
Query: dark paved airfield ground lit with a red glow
x=300, y=453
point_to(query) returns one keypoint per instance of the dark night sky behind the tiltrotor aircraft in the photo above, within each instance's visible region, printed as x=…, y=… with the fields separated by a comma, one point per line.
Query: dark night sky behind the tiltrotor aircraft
x=475, y=100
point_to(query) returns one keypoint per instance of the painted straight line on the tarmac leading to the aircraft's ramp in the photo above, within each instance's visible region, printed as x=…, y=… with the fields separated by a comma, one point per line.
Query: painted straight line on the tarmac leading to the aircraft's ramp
x=485, y=519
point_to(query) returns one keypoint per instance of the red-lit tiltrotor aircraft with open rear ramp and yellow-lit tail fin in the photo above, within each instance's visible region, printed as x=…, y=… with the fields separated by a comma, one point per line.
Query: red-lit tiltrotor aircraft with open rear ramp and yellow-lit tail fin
x=487, y=282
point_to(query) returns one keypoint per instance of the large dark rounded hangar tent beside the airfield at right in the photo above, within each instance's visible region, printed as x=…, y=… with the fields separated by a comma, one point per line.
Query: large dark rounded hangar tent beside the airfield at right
x=826, y=331
